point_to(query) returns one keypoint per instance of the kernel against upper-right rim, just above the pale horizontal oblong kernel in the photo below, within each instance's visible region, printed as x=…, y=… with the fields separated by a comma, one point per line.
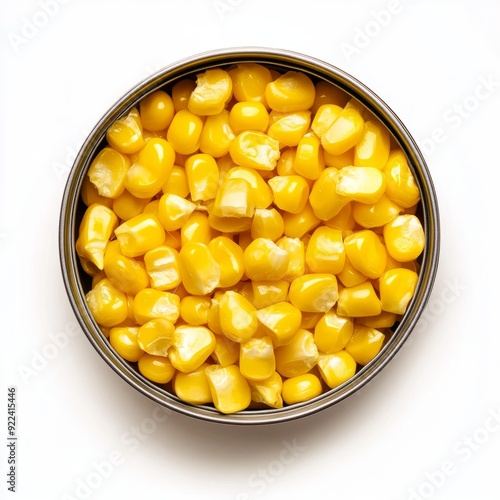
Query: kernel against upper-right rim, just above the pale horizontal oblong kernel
x=374, y=147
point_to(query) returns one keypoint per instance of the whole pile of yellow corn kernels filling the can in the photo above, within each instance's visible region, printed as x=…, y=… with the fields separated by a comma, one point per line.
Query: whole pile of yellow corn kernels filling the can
x=251, y=236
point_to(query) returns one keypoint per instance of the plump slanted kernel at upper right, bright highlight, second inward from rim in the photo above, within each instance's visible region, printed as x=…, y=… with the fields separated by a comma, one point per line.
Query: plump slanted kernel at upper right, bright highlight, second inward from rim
x=345, y=132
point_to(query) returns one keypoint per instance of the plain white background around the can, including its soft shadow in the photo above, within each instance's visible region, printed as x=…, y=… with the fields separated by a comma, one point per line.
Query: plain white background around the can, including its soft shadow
x=424, y=428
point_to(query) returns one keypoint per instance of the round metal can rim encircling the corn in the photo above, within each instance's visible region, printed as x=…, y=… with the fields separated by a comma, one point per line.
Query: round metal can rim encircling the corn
x=286, y=60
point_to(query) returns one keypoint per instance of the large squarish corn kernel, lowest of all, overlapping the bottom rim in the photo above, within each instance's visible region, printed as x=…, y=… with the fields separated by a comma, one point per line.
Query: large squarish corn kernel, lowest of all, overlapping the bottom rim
x=229, y=388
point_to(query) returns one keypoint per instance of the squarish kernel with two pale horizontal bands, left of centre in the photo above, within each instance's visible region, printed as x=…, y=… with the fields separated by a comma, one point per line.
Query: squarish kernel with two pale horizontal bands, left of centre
x=163, y=267
